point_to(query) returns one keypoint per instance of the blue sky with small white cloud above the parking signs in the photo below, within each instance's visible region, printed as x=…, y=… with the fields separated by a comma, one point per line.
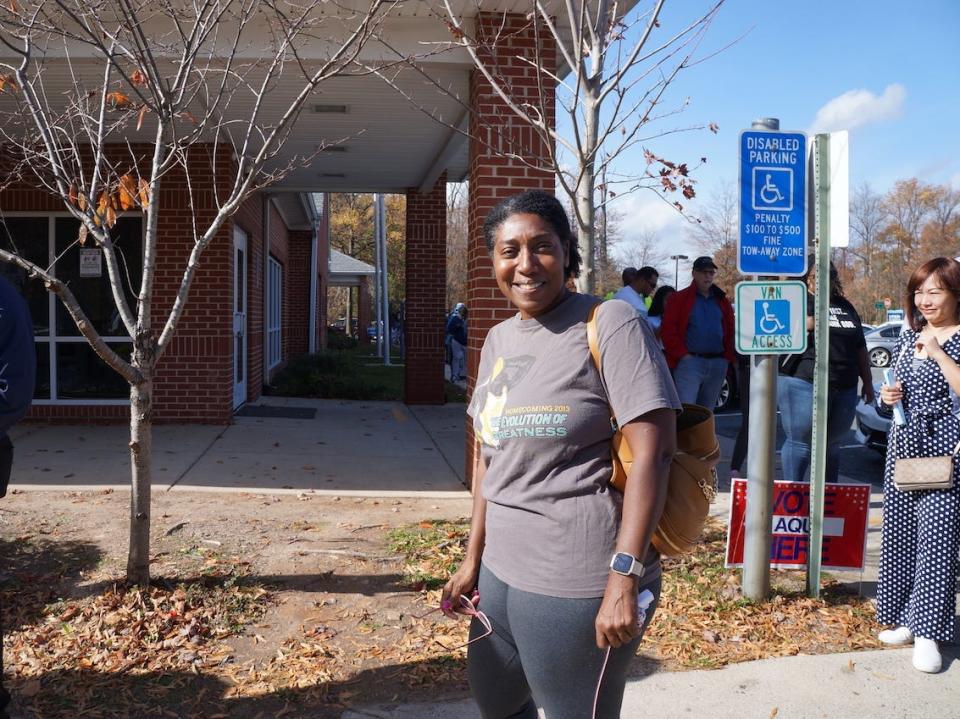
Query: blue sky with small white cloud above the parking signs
x=887, y=71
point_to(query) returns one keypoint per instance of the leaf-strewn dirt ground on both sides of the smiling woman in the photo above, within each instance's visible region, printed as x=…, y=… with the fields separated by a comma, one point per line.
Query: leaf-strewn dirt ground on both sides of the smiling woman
x=211, y=641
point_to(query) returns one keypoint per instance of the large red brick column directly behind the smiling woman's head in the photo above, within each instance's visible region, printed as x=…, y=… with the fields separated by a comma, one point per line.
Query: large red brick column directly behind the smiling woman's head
x=495, y=131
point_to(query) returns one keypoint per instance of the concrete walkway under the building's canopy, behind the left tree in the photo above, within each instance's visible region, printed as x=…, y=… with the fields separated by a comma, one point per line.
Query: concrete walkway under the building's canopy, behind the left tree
x=383, y=449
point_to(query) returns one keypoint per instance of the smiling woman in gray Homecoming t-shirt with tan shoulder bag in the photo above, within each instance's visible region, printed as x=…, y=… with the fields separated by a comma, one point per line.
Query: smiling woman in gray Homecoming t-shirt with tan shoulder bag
x=557, y=554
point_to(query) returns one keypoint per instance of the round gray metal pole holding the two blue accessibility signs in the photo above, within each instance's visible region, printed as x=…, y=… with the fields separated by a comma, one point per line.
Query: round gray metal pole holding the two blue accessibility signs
x=762, y=433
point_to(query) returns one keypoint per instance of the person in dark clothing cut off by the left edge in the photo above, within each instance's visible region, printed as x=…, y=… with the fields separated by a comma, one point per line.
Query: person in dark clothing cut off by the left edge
x=17, y=377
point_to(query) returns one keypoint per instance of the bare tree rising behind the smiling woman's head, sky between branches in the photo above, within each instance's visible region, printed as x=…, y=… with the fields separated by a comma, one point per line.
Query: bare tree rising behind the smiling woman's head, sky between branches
x=611, y=89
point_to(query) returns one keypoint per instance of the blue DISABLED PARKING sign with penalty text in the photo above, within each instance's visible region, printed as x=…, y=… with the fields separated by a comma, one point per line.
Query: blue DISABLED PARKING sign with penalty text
x=773, y=203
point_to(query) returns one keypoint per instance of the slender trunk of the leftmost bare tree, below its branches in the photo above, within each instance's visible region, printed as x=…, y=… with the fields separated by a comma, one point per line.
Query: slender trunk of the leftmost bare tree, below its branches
x=141, y=465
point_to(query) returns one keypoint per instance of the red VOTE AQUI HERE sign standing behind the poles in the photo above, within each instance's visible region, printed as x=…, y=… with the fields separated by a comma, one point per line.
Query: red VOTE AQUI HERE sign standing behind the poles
x=846, y=509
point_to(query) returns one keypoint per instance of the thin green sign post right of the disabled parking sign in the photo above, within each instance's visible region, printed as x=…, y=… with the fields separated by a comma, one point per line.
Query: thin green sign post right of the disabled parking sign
x=818, y=443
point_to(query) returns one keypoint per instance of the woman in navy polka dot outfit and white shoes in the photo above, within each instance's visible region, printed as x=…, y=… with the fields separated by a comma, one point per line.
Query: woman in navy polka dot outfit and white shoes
x=921, y=529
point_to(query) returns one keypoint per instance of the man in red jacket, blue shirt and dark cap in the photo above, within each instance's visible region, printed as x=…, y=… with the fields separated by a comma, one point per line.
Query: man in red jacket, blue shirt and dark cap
x=697, y=333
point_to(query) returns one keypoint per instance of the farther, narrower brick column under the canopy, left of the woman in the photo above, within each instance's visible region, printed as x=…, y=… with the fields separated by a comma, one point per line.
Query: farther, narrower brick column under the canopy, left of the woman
x=426, y=285
